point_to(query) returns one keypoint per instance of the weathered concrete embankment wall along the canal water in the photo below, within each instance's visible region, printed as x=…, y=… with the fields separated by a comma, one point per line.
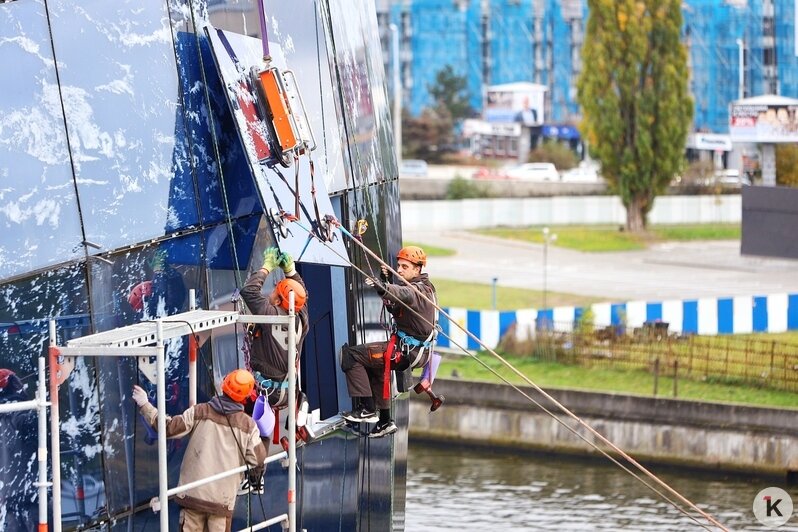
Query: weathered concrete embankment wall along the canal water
x=658, y=430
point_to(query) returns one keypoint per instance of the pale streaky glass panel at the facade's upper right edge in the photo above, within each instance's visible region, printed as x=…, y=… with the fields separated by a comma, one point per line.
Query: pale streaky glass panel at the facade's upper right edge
x=361, y=79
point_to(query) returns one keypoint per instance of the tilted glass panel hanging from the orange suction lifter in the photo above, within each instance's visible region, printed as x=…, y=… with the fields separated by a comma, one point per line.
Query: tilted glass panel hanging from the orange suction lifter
x=235, y=56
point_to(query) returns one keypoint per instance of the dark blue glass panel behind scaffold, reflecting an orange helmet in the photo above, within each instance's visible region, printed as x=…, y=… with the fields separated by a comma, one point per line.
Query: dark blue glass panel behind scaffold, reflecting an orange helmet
x=140, y=285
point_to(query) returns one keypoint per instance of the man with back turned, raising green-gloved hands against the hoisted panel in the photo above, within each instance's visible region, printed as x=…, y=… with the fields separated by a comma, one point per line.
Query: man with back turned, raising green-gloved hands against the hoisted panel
x=268, y=344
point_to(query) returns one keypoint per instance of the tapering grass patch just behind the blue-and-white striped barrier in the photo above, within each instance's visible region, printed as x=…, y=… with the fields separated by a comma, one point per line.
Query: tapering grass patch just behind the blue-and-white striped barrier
x=477, y=296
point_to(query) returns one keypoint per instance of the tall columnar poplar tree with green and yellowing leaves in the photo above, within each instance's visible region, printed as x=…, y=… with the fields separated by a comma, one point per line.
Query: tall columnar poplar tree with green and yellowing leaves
x=633, y=93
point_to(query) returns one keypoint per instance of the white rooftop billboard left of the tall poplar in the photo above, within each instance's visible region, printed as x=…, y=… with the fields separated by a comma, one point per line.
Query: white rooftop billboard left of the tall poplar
x=515, y=103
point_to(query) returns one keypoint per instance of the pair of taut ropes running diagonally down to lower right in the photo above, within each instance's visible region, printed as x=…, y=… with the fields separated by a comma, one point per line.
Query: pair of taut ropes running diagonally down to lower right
x=537, y=388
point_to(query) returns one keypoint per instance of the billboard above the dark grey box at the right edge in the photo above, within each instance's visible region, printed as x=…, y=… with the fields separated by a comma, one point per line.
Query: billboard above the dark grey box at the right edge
x=764, y=122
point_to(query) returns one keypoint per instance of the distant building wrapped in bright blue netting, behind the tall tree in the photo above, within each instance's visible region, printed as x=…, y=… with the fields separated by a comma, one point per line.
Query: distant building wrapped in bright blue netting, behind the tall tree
x=493, y=42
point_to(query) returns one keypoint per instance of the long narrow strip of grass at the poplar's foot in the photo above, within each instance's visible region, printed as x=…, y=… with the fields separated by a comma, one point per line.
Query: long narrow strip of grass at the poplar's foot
x=608, y=238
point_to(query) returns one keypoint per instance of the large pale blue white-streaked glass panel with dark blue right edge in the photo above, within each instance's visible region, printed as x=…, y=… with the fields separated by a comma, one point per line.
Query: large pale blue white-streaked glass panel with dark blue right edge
x=124, y=119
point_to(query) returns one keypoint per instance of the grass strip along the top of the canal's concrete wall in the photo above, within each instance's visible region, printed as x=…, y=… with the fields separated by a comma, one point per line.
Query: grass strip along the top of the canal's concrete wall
x=551, y=374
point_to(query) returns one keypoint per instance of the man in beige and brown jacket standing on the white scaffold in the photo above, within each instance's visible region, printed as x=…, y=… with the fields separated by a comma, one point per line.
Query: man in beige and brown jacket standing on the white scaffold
x=223, y=437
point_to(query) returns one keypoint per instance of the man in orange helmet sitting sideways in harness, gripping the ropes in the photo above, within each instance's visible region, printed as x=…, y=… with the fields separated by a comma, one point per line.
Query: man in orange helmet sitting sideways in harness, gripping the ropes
x=367, y=367
